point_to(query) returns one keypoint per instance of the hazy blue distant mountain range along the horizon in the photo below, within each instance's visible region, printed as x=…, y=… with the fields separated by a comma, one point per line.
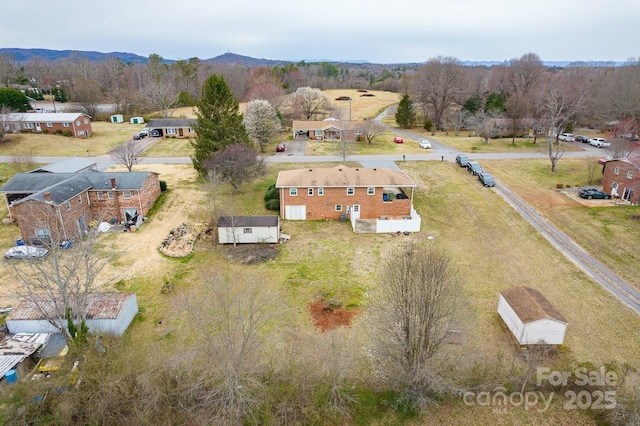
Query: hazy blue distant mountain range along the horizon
x=24, y=55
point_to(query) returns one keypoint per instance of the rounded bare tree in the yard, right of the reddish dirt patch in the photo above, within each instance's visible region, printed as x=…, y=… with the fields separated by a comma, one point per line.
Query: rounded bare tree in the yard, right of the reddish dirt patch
x=411, y=315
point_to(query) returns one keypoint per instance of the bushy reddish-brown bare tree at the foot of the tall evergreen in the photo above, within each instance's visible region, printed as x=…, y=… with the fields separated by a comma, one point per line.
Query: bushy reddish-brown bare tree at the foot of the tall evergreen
x=236, y=164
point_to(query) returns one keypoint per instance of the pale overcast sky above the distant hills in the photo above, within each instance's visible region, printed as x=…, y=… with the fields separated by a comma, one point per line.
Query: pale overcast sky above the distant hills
x=390, y=31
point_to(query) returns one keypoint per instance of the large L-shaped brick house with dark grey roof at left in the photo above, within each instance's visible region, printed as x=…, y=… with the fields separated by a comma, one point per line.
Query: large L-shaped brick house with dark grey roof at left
x=61, y=206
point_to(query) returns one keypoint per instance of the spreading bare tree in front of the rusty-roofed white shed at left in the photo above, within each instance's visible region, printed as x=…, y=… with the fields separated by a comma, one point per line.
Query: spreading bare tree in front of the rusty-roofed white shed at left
x=58, y=287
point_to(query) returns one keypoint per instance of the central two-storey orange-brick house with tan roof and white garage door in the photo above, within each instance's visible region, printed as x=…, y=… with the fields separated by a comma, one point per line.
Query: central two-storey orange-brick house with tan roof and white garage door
x=339, y=192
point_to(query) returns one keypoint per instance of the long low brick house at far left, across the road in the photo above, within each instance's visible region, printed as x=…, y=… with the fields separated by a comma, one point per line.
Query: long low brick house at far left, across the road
x=78, y=124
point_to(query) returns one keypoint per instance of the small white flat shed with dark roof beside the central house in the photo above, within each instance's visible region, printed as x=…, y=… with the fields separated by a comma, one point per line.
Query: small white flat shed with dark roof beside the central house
x=248, y=229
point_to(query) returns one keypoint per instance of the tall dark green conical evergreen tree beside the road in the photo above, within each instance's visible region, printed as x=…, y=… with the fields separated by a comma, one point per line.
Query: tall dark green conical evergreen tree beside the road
x=219, y=122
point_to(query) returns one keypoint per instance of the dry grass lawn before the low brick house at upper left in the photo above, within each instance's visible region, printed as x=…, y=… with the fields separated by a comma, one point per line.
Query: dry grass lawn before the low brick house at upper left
x=106, y=136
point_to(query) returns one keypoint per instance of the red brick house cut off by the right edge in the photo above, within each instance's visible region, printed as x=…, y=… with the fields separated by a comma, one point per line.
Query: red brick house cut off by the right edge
x=623, y=175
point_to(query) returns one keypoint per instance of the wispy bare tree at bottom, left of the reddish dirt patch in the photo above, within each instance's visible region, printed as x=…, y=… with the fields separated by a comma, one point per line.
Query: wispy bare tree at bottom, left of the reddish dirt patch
x=223, y=363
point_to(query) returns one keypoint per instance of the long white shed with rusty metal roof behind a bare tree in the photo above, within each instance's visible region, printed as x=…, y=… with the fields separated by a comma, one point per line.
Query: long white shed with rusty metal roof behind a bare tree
x=109, y=313
